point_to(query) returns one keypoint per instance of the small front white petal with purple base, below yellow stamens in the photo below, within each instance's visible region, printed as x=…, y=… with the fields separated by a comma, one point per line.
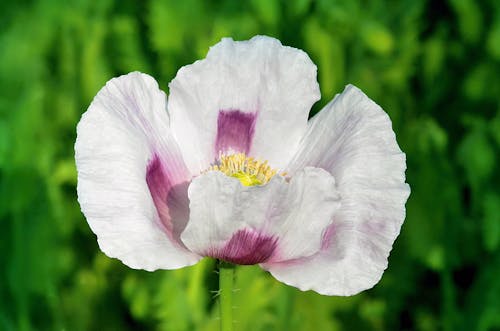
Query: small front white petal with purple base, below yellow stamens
x=278, y=221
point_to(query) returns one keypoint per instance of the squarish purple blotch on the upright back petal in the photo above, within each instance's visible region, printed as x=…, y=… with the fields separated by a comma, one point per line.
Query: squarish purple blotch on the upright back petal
x=235, y=131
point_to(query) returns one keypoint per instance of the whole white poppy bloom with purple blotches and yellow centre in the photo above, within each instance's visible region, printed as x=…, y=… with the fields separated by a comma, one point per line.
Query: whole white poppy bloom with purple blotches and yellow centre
x=230, y=167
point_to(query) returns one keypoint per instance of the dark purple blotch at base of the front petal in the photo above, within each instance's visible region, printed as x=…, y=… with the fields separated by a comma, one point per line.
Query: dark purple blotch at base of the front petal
x=246, y=247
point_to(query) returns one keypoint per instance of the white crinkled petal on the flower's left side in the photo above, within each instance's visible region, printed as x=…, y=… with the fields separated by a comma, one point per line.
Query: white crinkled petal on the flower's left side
x=122, y=137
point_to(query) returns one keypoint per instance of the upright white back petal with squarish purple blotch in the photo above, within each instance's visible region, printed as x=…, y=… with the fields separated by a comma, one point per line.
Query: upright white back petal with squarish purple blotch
x=249, y=96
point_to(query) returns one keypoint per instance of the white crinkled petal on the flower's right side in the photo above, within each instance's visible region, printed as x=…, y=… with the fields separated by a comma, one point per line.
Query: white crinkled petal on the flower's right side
x=352, y=138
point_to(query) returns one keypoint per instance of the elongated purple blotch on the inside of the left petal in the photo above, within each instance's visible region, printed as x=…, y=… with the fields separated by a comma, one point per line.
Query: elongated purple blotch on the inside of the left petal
x=171, y=201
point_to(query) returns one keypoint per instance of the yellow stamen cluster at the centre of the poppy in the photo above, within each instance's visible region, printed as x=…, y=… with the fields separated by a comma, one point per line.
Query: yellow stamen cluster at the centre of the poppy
x=248, y=170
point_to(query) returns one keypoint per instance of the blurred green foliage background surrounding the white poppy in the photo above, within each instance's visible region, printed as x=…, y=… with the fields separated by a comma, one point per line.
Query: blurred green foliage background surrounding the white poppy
x=434, y=66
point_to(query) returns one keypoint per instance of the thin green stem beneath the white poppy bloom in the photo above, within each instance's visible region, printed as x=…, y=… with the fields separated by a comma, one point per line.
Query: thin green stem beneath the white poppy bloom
x=226, y=281
